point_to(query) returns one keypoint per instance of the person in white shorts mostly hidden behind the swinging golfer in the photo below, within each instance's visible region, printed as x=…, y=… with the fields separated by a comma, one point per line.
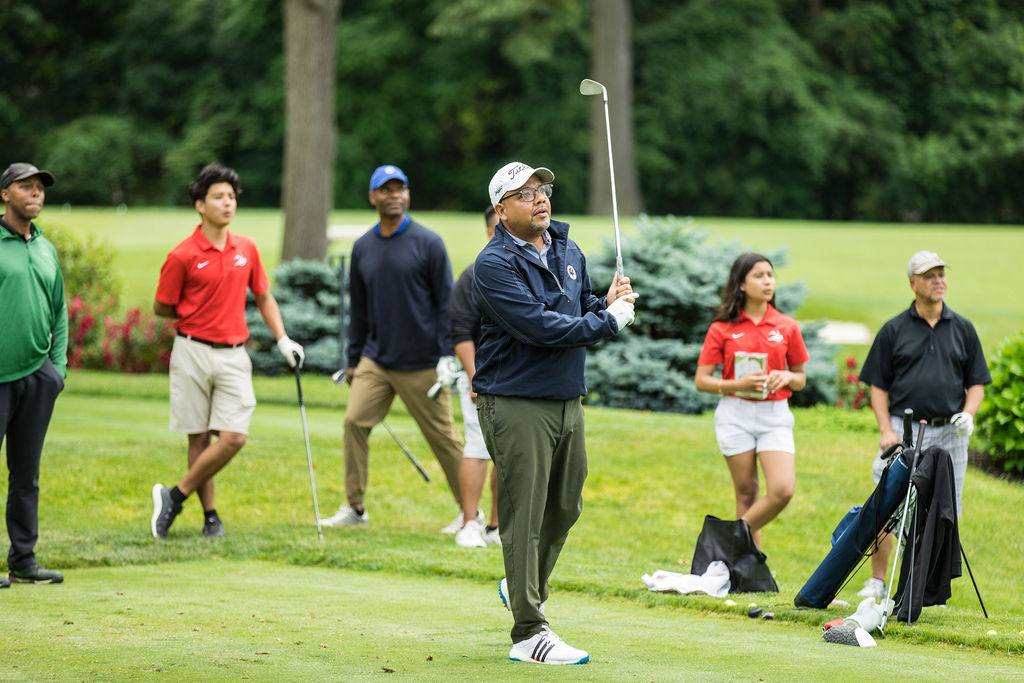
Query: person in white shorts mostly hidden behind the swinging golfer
x=474, y=469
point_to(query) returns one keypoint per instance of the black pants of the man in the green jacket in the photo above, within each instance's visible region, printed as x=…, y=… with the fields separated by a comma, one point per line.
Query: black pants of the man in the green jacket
x=26, y=407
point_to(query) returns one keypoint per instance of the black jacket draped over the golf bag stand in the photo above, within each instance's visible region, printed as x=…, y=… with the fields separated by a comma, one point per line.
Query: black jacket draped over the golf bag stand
x=932, y=558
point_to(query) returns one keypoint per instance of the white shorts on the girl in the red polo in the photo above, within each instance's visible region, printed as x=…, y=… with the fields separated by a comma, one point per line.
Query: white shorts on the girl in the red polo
x=753, y=425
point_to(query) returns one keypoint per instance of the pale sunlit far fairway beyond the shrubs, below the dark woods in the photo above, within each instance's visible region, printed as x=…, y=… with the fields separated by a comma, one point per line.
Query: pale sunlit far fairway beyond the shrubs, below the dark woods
x=854, y=272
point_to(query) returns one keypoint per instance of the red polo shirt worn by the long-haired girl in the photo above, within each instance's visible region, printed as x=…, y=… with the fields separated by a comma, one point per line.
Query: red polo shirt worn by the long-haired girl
x=777, y=334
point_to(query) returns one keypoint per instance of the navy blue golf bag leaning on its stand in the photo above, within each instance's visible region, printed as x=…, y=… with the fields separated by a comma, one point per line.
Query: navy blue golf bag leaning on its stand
x=858, y=533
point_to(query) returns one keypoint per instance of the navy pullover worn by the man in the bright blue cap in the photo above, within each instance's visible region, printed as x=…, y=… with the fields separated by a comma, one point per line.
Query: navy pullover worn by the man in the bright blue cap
x=401, y=295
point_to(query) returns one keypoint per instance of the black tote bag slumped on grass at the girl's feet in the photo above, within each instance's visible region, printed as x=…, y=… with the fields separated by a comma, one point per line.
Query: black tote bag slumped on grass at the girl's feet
x=731, y=542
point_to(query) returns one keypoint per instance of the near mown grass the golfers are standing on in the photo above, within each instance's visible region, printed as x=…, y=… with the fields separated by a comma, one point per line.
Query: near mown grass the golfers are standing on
x=393, y=594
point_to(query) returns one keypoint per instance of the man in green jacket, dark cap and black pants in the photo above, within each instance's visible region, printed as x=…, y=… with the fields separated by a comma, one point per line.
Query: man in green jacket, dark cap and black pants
x=34, y=361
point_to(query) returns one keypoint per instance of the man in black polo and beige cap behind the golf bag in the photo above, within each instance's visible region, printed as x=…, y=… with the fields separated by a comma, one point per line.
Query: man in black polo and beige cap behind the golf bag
x=927, y=359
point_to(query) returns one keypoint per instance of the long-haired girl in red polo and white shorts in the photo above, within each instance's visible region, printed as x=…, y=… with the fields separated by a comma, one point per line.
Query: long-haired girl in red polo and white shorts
x=753, y=421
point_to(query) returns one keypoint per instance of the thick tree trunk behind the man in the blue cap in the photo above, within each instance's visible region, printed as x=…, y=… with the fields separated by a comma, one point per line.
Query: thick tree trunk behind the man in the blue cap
x=311, y=136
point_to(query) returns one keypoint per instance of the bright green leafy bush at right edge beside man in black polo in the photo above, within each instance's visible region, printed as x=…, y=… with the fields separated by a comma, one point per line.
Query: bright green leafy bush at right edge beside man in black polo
x=1001, y=420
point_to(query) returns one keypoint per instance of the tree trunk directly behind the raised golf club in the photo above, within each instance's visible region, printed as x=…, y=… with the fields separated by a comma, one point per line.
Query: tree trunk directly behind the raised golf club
x=612, y=64
